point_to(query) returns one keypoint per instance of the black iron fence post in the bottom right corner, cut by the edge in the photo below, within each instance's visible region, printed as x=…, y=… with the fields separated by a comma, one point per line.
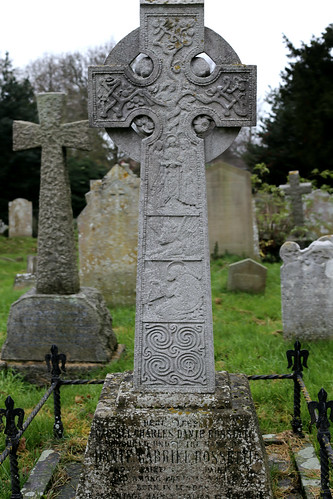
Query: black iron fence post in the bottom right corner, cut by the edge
x=323, y=425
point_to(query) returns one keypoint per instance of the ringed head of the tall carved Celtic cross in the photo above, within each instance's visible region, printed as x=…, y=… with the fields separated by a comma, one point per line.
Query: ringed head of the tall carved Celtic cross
x=171, y=76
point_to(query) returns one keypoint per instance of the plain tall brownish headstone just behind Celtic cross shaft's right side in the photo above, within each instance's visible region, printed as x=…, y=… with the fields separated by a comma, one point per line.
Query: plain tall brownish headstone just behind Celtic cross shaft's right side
x=231, y=217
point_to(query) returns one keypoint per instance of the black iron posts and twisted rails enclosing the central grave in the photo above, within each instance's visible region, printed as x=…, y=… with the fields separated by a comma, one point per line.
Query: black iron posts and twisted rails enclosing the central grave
x=56, y=363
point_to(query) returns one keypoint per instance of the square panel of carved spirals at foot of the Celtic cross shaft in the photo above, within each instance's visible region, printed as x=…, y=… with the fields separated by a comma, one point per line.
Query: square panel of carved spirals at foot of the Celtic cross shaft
x=174, y=354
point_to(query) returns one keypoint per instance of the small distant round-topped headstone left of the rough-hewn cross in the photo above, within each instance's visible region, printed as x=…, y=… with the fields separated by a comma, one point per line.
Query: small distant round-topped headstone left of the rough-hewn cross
x=20, y=218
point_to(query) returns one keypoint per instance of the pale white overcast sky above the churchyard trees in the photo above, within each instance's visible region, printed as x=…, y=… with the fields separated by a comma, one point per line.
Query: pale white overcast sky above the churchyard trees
x=254, y=28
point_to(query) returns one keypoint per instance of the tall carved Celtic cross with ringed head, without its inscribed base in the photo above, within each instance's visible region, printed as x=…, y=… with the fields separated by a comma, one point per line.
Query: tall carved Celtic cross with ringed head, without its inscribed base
x=173, y=94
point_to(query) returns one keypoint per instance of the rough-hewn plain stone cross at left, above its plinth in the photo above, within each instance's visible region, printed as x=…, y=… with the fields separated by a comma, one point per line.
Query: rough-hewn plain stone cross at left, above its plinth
x=57, y=271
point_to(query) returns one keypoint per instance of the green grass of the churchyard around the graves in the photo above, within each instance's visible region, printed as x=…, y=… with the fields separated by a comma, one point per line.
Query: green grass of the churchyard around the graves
x=247, y=339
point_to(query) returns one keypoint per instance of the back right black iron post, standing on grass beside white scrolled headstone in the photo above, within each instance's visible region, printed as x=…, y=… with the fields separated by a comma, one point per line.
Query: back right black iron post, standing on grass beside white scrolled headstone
x=300, y=361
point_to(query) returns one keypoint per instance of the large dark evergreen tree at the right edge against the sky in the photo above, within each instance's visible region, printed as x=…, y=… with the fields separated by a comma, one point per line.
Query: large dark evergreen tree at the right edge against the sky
x=297, y=133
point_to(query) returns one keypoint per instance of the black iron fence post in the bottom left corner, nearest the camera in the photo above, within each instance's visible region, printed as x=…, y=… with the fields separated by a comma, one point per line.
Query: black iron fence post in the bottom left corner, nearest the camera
x=12, y=441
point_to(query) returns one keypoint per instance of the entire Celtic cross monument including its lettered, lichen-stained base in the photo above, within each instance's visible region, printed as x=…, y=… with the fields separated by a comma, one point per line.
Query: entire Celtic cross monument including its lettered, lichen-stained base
x=173, y=429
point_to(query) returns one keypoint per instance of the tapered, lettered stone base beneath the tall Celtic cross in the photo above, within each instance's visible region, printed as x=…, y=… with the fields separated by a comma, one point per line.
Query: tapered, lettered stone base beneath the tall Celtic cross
x=175, y=445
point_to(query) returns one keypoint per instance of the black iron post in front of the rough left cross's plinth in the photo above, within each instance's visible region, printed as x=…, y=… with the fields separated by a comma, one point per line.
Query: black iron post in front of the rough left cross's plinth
x=53, y=360
